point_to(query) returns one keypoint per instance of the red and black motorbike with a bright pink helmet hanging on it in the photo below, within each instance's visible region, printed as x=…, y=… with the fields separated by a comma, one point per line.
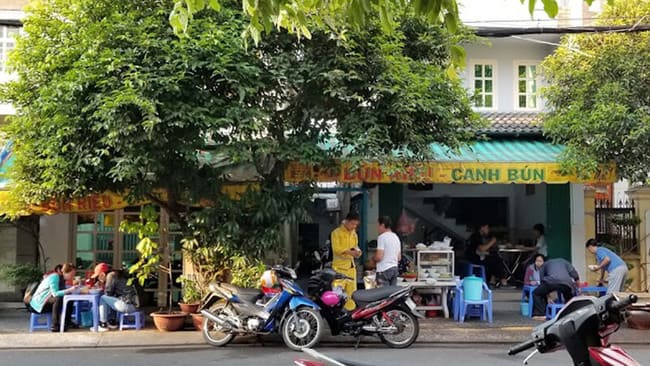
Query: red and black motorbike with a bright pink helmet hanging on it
x=385, y=312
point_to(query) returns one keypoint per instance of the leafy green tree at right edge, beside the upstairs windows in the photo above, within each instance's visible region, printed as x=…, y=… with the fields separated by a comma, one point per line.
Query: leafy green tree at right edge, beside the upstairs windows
x=599, y=96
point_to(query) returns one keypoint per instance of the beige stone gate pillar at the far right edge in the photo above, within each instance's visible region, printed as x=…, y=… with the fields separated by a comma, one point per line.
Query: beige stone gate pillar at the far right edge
x=641, y=198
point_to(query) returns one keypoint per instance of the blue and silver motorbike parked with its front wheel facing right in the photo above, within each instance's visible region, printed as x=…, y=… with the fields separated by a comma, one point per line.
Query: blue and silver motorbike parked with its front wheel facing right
x=230, y=311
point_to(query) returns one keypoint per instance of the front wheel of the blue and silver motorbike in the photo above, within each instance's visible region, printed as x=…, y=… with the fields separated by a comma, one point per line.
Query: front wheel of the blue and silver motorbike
x=302, y=329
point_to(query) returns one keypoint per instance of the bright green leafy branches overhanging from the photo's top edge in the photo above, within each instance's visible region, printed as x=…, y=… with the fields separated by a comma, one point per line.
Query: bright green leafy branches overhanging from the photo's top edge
x=299, y=16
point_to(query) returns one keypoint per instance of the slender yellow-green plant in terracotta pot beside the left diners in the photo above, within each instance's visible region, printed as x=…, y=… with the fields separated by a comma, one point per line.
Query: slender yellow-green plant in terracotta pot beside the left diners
x=152, y=260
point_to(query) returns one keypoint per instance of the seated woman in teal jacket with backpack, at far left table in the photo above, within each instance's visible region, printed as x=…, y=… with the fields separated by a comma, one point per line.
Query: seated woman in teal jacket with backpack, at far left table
x=48, y=297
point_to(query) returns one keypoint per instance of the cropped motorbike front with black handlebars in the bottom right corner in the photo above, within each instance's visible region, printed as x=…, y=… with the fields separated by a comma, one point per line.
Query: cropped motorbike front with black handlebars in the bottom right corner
x=583, y=327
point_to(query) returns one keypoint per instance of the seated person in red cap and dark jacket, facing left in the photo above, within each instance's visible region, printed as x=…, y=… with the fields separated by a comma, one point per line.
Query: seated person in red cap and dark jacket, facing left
x=119, y=296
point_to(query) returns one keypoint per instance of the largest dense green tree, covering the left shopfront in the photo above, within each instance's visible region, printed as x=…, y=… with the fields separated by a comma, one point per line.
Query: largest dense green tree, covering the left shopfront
x=108, y=98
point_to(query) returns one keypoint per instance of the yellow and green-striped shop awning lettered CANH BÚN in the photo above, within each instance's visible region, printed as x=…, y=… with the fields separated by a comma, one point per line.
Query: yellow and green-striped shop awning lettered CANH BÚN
x=493, y=161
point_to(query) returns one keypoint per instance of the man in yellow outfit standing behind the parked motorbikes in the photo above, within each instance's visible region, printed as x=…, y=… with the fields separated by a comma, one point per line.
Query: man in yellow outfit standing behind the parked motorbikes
x=345, y=248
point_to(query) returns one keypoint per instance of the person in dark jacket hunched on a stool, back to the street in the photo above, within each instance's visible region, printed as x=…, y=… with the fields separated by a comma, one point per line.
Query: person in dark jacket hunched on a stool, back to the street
x=556, y=274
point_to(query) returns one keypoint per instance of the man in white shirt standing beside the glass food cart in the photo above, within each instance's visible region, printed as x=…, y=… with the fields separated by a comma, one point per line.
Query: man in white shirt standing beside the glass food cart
x=388, y=255
